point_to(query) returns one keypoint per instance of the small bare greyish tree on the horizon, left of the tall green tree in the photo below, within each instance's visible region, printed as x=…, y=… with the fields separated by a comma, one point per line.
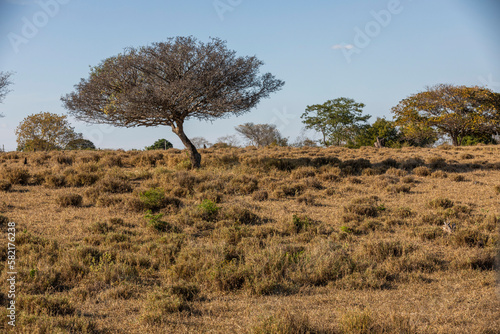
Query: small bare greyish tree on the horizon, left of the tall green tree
x=261, y=134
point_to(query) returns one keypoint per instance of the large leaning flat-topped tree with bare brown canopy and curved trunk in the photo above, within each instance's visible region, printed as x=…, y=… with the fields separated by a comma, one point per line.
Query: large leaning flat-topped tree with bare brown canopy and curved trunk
x=168, y=83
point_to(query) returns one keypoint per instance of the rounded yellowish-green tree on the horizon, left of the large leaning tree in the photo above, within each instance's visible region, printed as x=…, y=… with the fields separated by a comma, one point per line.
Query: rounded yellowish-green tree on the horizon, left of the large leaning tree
x=45, y=131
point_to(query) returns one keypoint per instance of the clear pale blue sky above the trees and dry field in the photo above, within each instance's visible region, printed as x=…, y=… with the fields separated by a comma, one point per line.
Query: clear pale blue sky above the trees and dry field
x=322, y=49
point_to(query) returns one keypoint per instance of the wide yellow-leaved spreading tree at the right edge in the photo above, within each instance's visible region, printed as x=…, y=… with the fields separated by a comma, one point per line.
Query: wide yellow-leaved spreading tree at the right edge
x=456, y=111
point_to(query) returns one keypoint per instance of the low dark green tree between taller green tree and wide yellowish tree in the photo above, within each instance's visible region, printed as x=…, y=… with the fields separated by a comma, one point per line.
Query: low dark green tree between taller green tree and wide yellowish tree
x=382, y=129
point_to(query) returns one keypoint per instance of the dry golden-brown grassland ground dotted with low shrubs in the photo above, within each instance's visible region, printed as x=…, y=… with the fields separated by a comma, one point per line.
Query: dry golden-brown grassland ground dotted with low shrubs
x=271, y=240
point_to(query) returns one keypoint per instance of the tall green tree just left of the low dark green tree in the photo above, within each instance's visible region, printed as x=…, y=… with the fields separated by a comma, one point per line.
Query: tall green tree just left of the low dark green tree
x=339, y=121
